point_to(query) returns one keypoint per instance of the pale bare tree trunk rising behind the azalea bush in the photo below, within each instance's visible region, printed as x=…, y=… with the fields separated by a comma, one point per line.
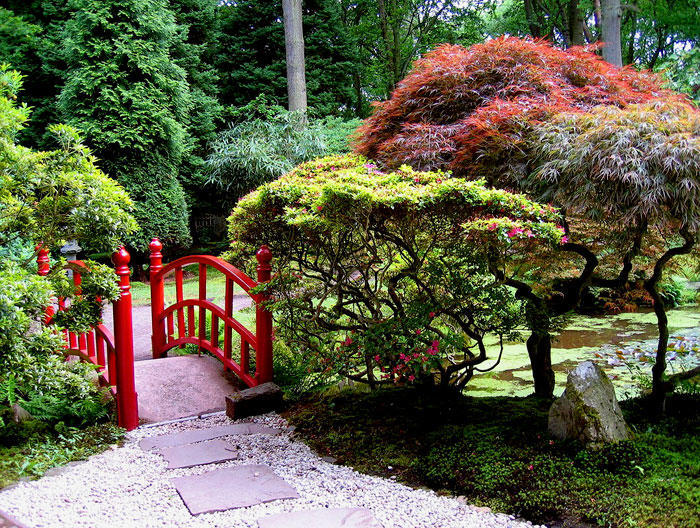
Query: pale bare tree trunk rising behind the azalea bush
x=296, y=64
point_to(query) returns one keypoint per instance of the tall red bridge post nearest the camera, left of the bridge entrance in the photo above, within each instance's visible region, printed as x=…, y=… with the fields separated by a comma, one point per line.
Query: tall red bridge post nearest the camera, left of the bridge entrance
x=127, y=399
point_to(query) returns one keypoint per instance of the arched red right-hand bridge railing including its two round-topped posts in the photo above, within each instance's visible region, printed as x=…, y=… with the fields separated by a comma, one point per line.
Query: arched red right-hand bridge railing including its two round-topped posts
x=198, y=320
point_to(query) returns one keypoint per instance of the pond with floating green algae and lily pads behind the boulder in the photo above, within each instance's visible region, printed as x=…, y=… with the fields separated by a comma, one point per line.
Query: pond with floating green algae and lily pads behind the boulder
x=624, y=345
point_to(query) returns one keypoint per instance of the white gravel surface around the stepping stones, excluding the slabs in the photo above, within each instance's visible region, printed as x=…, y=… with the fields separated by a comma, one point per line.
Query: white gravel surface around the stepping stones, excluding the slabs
x=127, y=487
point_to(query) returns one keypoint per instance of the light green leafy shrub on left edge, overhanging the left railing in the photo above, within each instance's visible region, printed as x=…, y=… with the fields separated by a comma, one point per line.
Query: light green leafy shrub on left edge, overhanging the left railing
x=47, y=197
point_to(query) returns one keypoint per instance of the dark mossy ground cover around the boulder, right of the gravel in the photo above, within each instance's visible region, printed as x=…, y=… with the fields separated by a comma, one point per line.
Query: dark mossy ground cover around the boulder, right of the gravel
x=496, y=451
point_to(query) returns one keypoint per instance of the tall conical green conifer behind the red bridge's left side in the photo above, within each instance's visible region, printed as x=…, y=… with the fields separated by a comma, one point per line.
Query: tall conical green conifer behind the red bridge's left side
x=132, y=101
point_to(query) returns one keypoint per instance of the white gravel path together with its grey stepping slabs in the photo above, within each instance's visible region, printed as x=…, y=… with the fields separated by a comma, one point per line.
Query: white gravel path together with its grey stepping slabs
x=214, y=472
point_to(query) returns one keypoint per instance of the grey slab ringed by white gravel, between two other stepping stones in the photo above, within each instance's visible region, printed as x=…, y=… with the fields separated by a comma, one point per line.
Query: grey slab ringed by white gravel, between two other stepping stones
x=235, y=487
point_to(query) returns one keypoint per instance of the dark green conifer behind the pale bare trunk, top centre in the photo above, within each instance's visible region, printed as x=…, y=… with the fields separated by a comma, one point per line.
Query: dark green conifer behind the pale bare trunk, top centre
x=251, y=60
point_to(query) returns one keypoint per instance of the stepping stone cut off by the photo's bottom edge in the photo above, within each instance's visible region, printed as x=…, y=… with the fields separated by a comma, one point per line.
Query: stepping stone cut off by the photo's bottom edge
x=325, y=518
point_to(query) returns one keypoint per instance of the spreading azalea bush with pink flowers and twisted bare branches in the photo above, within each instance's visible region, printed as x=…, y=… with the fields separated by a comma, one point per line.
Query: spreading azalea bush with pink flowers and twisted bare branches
x=385, y=275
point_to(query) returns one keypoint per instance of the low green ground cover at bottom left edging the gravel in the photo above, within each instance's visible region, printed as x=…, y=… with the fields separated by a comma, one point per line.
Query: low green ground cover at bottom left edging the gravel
x=42, y=450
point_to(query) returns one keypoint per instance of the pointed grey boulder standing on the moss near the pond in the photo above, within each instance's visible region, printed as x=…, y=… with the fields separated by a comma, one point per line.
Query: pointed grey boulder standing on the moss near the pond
x=588, y=409
